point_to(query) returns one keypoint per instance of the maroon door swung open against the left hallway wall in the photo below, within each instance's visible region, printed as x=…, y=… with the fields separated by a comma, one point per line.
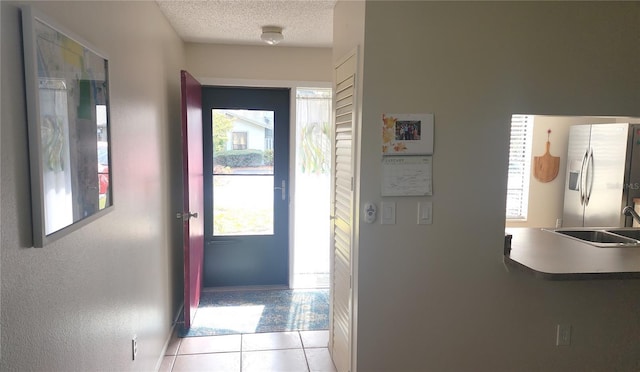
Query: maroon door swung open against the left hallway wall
x=193, y=204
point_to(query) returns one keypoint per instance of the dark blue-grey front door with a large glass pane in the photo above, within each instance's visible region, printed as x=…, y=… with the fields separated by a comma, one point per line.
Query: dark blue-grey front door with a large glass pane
x=246, y=162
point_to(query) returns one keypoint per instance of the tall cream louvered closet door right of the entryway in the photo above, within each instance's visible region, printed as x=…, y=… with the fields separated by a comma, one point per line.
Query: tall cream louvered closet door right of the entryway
x=342, y=212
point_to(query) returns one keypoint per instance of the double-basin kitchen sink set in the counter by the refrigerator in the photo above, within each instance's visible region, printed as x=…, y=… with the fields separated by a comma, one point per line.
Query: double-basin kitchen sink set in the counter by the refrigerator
x=604, y=238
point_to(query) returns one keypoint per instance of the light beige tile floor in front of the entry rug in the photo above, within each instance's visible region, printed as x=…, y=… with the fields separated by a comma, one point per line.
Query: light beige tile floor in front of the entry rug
x=298, y=351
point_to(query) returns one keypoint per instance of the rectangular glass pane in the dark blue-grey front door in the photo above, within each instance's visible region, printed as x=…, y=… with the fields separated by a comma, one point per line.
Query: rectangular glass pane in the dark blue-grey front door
x=243, y=172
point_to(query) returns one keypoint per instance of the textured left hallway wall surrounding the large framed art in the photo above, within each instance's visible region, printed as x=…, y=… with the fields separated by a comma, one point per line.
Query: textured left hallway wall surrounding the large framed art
x=74, y=305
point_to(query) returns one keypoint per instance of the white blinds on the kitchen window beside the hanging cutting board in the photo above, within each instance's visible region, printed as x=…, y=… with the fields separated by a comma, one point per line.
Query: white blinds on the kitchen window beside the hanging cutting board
x=519, y=166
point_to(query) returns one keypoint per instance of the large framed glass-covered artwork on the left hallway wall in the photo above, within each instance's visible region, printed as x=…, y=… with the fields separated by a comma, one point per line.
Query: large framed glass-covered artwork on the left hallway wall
x=67, y=86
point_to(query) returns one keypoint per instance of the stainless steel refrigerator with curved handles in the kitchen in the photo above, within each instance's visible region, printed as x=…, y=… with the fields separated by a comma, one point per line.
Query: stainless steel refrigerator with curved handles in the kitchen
x=603, y=174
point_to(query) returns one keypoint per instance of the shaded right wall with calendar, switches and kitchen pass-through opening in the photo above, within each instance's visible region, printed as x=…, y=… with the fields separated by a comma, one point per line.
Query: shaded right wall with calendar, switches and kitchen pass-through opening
x=438, y=297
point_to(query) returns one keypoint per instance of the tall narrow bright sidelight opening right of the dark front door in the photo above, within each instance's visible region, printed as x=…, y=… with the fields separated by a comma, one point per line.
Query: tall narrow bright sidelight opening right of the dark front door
x=312, y=197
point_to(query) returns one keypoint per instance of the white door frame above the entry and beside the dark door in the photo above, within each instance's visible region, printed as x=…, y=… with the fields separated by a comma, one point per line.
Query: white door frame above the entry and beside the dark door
x=293, y=85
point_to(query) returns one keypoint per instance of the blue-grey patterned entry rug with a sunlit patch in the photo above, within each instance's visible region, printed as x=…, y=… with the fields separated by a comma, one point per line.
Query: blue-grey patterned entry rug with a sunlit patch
x=256, y=311
